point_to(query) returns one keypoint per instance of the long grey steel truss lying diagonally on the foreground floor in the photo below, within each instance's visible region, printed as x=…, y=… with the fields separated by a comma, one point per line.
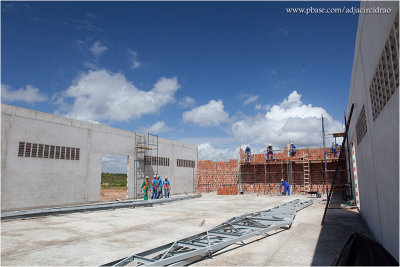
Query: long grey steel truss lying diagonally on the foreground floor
x=188, y=250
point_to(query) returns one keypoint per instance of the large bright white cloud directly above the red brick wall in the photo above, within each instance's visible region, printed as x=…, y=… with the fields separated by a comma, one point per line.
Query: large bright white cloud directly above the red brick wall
x=291, y=119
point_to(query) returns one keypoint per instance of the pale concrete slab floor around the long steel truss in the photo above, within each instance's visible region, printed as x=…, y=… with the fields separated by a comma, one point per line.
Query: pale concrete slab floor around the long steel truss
x=99, y=237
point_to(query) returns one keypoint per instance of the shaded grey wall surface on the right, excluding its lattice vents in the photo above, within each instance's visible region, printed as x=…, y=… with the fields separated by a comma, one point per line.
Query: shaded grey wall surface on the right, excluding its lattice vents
x=377, y=156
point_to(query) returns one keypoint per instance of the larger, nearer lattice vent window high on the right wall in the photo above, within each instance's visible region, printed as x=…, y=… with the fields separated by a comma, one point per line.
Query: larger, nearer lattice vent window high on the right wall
x=386, y=78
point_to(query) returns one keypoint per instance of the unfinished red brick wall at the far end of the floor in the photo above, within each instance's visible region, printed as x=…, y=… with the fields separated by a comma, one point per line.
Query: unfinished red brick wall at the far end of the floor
x=261, y=176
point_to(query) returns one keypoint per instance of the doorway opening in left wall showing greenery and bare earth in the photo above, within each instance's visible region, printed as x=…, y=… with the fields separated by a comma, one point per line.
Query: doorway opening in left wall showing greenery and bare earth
x=114, y=177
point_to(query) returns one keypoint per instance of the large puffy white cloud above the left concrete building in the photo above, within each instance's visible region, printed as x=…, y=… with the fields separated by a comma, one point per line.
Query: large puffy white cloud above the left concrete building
x=102, y=95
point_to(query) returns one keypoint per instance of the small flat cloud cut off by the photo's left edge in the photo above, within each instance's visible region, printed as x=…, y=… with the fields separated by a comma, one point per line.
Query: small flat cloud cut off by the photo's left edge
x=28, y=94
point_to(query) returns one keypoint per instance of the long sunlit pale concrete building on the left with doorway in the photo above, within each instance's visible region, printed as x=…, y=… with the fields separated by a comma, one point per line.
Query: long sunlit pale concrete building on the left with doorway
x=48, y=160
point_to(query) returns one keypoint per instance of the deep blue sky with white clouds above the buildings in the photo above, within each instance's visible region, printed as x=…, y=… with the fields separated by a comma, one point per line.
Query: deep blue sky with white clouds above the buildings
x=215, y=74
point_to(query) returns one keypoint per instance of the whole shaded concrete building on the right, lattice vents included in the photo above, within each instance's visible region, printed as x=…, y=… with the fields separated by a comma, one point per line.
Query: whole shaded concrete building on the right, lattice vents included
x=374, y=129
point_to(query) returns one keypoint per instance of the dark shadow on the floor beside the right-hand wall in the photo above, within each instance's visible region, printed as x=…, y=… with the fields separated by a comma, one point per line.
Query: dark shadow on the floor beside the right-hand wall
x=339, y=224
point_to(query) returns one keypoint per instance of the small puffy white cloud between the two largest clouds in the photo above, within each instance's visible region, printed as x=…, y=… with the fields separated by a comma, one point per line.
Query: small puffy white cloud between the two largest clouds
x=206, y=115
